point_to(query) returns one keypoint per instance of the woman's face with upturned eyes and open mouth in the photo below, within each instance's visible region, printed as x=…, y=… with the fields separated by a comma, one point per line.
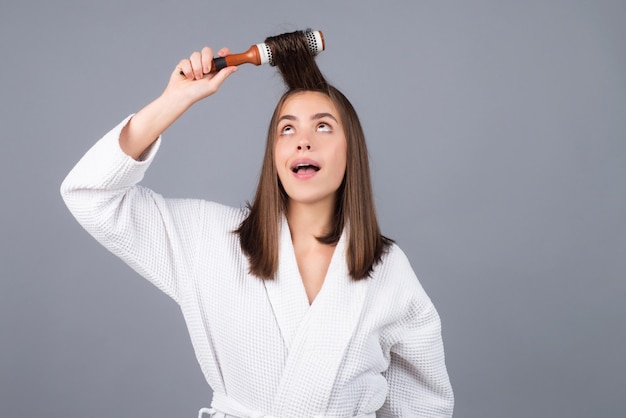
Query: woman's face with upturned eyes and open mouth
x=310, y=148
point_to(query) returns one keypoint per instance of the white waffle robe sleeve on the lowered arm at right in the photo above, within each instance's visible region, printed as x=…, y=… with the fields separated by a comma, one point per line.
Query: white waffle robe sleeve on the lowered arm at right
x=417, y=378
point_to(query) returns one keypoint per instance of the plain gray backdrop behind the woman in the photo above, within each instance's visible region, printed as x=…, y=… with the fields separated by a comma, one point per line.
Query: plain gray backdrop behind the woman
x=497, y=133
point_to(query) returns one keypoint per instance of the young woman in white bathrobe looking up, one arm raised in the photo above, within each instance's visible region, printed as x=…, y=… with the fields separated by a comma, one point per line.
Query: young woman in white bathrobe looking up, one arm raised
x=297, y=306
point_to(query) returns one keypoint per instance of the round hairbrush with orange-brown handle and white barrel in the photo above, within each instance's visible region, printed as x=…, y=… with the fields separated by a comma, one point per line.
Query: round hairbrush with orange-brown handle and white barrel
x=262, y=54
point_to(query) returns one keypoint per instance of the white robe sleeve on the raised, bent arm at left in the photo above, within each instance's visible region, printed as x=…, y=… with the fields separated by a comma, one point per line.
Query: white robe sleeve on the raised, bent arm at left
x=133, y=222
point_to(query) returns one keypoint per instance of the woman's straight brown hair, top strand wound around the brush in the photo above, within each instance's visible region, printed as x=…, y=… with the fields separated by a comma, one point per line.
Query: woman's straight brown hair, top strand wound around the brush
x=354, y=207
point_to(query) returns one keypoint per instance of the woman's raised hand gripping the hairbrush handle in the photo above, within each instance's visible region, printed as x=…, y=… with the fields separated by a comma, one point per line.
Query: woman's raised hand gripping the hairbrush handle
x=191, y=80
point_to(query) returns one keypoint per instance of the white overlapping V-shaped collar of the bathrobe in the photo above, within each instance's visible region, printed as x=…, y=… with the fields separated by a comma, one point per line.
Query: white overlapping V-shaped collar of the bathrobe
x=316, y=336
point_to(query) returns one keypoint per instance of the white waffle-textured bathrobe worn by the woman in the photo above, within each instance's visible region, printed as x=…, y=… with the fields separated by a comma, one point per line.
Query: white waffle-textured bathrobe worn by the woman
x=362, y=347
